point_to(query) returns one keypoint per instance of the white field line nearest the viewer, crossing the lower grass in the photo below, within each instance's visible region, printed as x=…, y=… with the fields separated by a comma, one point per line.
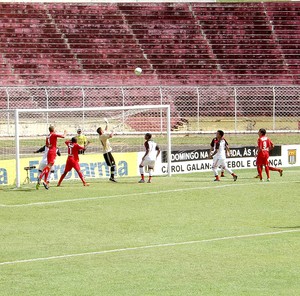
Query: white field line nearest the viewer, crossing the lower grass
x=148, y=247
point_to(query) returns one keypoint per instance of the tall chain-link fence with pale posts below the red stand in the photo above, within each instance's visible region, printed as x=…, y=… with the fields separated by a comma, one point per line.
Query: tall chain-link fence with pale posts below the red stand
x=193, y=109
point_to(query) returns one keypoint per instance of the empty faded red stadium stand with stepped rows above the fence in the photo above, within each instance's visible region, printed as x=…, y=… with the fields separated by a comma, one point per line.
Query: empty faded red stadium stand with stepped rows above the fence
x=174, y=43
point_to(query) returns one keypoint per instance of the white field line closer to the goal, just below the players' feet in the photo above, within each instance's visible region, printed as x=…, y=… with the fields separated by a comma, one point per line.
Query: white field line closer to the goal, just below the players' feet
x=42, y=203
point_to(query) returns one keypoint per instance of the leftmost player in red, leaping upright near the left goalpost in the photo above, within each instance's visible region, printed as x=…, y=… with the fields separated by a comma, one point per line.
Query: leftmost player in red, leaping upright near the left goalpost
x=51, y=143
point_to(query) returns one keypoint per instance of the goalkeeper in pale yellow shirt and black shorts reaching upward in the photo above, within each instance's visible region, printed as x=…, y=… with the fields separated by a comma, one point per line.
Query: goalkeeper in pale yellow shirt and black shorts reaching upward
x=104, y=137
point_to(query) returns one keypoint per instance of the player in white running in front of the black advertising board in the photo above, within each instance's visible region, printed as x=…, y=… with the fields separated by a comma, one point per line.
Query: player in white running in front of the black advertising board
x=219, y=151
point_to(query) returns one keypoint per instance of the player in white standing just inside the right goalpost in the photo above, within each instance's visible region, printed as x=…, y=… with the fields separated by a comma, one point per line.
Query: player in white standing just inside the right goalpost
x=148, y=160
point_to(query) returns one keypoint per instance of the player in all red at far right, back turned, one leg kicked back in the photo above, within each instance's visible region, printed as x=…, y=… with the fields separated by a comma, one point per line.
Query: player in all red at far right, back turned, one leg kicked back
x=264, y=145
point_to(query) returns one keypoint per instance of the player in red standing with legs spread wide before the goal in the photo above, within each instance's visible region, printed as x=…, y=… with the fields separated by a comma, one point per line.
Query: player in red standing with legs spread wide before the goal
x=73, y=160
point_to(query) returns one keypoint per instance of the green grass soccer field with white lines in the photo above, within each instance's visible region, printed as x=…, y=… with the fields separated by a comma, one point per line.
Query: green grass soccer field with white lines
x=184, y=235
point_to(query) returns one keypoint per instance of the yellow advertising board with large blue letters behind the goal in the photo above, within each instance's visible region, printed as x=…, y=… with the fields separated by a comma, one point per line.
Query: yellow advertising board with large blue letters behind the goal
x=92, y=166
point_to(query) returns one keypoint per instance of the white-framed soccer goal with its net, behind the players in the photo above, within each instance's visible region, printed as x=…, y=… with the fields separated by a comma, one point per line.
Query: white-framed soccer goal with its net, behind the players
x=129, y=124
